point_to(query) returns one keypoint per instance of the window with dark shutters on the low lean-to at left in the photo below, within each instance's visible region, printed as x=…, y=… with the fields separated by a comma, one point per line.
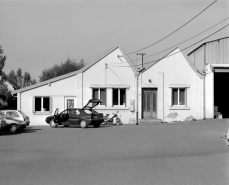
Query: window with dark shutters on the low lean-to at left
x=42, y=104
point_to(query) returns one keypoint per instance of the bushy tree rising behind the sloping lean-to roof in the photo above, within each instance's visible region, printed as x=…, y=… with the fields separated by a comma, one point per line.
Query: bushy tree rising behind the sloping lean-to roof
x=68, y=66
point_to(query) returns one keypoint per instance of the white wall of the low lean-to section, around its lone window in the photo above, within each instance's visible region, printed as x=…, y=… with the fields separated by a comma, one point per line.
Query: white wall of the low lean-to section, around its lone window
x=58, y=90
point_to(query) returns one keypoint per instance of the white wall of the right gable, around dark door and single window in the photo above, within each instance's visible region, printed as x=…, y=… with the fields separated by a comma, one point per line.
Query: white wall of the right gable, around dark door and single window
x=174, y=70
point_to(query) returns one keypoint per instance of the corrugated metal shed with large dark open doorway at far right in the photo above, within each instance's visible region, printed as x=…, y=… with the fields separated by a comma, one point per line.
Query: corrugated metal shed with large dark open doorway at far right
x=212, y=59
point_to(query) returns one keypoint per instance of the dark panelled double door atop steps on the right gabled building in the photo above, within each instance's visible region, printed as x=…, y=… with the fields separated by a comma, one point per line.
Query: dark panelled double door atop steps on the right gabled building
x=149, y=103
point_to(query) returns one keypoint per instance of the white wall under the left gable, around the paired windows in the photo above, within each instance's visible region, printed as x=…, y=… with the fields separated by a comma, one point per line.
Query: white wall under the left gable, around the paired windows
x=113, y=76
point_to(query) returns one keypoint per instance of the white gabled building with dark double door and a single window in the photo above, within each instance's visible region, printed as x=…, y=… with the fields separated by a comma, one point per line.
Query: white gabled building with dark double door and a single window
x=171, y=90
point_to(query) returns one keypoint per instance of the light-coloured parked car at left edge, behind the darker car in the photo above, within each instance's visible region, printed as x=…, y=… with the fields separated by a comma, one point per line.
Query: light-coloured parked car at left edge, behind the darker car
x=17, y=114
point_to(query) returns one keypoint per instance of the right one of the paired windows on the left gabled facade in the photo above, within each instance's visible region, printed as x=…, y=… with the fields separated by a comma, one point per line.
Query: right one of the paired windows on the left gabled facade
x=119, y=97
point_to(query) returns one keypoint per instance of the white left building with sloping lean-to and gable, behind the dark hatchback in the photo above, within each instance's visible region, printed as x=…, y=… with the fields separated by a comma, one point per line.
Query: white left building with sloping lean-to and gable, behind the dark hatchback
x=101, y=79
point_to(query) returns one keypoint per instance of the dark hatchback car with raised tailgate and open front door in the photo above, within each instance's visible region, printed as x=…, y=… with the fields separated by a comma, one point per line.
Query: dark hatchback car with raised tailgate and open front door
x=74, y=116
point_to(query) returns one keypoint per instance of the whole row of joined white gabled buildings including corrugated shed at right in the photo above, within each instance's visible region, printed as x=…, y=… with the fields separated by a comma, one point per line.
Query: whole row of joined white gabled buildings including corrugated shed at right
x=173, y=89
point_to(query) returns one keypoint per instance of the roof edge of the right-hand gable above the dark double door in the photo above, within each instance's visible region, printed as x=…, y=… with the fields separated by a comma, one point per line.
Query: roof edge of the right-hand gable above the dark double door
x=187, y=59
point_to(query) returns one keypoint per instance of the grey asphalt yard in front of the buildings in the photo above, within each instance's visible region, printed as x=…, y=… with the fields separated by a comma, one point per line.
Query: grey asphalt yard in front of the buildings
x=188, y=153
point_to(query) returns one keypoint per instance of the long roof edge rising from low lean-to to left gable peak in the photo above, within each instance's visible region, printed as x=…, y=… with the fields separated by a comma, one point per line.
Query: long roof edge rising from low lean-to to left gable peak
x=69, y=74
